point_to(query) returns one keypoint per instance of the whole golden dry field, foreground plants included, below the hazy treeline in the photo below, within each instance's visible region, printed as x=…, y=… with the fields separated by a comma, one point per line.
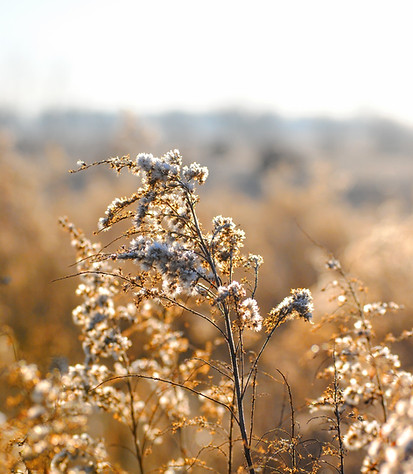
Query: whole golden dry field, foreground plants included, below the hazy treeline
x=156, y=339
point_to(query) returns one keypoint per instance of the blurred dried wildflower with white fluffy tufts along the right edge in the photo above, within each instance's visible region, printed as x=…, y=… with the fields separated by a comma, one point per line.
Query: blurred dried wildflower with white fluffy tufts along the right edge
x=373, y=389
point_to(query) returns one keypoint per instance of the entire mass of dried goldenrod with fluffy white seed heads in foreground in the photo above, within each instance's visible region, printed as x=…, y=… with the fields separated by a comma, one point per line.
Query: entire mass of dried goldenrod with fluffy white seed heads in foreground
x=188, y=403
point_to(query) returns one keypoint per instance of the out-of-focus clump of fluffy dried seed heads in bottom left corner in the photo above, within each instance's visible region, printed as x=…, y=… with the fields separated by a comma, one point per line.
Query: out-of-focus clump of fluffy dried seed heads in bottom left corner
x=45, y=434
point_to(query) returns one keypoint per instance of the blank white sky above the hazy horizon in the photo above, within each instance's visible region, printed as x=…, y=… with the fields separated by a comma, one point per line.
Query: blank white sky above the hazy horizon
x=294, y=57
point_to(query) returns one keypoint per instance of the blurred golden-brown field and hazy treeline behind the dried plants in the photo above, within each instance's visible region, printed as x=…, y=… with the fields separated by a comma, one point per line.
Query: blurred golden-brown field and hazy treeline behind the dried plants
x=275, y=176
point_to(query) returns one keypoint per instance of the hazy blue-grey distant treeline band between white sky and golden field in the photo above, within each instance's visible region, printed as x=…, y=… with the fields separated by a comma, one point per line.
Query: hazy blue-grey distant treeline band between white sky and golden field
x=375, y=153
